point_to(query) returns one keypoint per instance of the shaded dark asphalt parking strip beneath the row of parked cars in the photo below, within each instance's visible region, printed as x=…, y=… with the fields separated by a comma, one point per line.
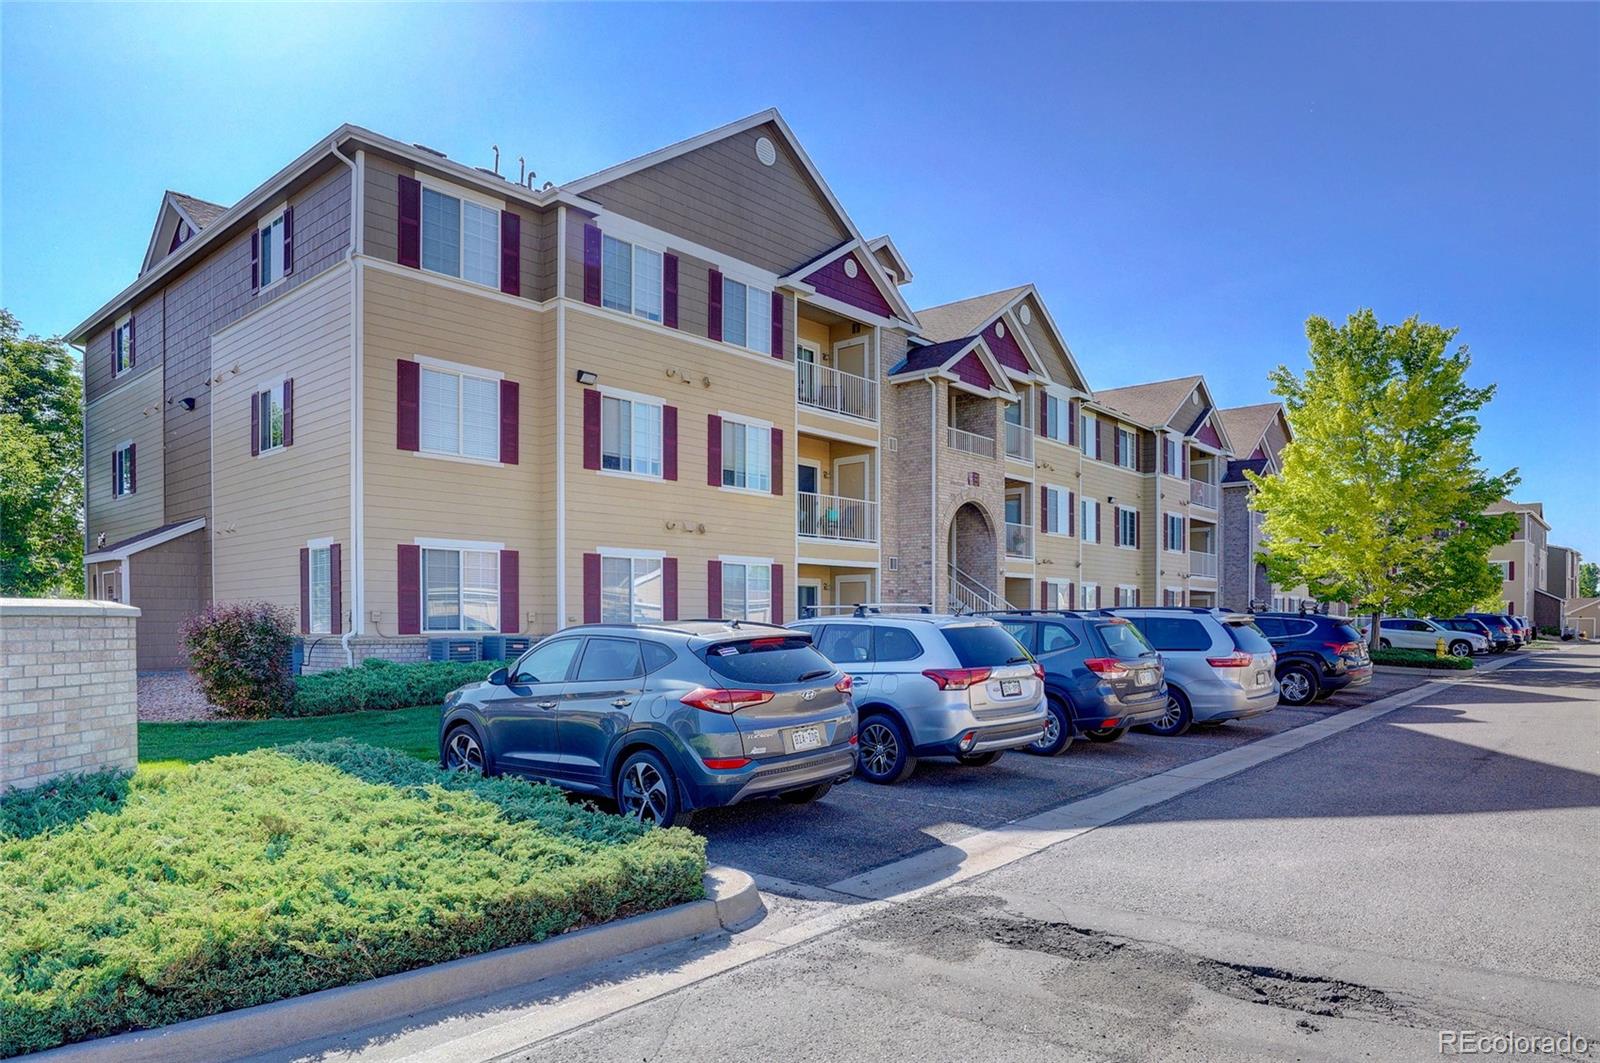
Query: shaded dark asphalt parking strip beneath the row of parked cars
x=862, y=827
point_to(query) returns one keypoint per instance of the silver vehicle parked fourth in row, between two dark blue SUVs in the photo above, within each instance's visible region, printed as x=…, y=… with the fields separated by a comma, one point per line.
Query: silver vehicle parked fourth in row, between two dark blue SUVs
x=1218, y=665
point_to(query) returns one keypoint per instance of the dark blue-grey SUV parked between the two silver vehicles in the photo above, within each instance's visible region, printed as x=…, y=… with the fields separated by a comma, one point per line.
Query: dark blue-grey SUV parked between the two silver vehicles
x=1102, y=676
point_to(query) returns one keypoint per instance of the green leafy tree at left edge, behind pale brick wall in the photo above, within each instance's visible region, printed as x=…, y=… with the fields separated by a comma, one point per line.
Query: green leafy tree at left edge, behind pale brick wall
x=41, y=465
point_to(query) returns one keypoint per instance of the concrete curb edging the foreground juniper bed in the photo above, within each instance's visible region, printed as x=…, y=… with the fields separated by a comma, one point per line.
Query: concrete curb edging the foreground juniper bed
x=732, y=902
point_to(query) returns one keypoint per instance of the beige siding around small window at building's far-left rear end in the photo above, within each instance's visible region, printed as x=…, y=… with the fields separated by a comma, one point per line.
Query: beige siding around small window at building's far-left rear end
x=134, y=412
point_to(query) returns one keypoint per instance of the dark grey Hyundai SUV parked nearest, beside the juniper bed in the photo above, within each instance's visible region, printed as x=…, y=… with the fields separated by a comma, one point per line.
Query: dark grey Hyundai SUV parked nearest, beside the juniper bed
x=662, y=718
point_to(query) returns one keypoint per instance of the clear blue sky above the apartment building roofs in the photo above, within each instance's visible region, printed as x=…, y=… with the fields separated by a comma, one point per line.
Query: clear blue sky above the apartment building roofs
x=1186, y=185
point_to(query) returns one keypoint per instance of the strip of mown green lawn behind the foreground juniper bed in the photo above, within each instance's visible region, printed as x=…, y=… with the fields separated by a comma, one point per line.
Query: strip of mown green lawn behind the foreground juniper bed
x=412, y=731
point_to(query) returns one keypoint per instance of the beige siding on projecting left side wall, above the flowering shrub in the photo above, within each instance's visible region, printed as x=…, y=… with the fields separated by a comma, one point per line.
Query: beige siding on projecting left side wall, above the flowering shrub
x=268, y=507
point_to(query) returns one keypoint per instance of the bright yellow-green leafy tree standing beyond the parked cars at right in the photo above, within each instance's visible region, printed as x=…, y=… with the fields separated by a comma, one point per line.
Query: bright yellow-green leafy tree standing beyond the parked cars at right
x=1382, y=495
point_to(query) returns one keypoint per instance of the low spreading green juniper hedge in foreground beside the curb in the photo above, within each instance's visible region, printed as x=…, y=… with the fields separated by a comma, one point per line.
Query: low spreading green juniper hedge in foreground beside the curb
x=263, y=876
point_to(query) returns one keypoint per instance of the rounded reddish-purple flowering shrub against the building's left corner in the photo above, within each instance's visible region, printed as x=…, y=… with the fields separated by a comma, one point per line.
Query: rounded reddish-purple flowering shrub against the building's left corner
x=241, y=657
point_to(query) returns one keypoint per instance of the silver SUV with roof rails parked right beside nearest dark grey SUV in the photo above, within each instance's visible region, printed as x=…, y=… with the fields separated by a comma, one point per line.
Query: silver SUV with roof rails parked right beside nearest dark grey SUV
x=934, y=686
